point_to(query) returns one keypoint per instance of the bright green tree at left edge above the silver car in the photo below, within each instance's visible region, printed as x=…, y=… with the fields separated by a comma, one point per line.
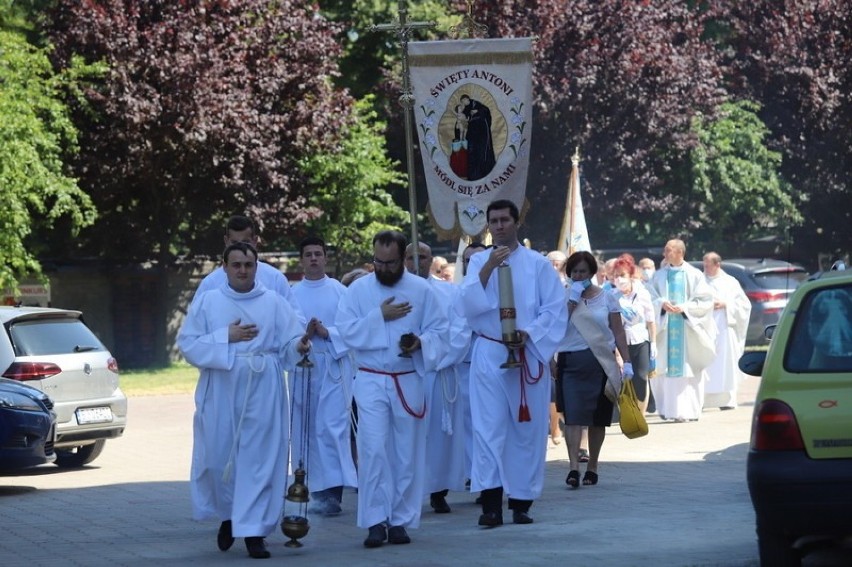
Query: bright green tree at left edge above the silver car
x=36, y=137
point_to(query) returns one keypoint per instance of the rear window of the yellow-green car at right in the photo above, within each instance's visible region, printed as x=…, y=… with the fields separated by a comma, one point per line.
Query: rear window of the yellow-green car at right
x=821, y=340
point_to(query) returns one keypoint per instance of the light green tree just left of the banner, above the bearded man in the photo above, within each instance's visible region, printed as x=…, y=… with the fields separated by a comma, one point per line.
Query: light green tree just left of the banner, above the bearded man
x=349, y=185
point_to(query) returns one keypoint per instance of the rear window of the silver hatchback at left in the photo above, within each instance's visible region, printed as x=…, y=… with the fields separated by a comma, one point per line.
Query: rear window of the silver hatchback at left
x=52, y=336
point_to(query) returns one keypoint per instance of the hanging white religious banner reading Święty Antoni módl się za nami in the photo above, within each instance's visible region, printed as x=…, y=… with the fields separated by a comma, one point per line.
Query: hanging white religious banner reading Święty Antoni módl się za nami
x=472, y=109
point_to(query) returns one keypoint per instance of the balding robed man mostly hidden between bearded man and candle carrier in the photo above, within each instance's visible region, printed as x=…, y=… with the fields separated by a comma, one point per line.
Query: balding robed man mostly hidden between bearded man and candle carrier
x=445, y=434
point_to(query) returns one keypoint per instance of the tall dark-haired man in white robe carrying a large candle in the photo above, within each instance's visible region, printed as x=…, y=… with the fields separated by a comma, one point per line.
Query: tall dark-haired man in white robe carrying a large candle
x=510, y=406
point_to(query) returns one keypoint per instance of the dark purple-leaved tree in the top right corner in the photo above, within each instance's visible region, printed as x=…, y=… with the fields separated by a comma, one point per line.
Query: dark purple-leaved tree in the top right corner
x=795, y=57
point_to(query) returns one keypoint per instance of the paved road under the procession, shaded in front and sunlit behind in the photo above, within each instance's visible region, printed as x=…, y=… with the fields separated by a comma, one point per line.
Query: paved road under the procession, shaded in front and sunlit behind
x=676, y=497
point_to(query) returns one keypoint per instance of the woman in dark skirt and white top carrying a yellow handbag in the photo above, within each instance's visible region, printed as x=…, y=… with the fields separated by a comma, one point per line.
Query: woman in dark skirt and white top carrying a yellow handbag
x=586, y=361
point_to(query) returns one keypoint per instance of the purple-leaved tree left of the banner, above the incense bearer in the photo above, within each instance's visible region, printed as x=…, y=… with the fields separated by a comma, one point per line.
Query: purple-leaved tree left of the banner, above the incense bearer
x=207, y=110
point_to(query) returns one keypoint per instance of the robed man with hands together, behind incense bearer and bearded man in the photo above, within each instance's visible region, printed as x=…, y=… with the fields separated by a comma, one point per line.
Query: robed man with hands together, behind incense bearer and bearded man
x=329, y=382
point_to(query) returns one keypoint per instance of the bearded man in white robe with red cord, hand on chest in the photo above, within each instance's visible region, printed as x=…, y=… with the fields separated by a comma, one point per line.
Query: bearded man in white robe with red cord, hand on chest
x=381, y=316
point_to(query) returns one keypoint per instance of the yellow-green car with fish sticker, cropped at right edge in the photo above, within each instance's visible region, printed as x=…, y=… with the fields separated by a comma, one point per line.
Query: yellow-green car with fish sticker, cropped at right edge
x=799, y=464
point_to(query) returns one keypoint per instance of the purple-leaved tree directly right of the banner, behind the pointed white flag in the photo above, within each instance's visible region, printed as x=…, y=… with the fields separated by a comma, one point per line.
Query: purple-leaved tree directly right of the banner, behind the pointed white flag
x=621, y=80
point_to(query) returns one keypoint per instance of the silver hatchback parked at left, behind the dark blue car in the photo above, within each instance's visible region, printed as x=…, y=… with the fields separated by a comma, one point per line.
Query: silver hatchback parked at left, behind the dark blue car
x=53, y=350
